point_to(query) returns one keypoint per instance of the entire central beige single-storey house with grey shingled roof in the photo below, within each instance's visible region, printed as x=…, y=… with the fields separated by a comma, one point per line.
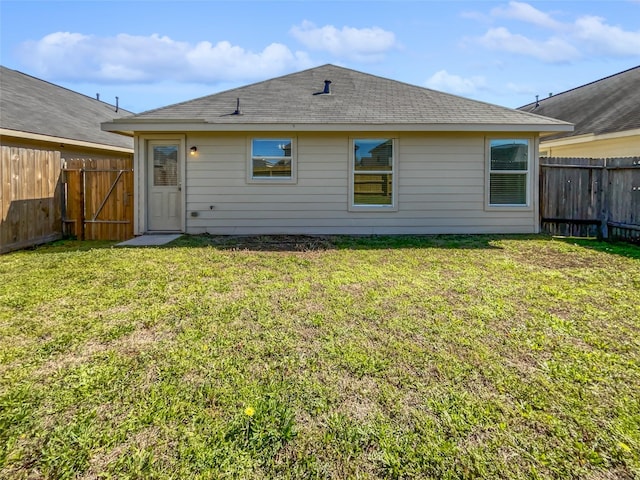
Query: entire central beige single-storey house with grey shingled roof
x=330, y=150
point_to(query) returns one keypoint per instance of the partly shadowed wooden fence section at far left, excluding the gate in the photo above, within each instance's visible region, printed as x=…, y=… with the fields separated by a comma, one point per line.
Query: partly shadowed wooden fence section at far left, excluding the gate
x=30, y=197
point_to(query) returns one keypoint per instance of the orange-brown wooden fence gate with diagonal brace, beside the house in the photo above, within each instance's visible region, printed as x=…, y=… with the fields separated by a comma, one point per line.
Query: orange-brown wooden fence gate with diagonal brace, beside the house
x=99, y=199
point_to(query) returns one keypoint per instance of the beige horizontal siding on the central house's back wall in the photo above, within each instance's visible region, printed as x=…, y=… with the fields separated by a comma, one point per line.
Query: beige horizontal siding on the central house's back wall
x=441, y=189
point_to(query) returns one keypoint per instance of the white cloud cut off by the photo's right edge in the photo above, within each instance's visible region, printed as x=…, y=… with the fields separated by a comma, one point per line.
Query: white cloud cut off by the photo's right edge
x=601, y=38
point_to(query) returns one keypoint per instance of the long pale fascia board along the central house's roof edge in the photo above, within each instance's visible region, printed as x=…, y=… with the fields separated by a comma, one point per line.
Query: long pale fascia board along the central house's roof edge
x=201, y=126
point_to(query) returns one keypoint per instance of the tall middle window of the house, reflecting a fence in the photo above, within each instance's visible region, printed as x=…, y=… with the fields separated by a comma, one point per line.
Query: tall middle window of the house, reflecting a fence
x=372, y=173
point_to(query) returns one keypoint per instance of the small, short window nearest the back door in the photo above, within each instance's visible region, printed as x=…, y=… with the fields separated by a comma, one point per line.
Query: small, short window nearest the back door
x=272, y=160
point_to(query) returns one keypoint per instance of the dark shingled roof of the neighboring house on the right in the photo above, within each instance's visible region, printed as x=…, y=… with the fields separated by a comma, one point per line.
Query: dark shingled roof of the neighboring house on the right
x=608, y=105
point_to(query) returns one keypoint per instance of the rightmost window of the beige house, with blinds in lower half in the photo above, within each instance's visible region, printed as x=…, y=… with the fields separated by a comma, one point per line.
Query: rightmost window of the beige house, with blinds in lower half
x=508, y=172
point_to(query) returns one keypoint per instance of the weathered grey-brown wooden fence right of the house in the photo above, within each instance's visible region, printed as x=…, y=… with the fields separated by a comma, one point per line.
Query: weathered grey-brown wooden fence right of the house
x=591, y=197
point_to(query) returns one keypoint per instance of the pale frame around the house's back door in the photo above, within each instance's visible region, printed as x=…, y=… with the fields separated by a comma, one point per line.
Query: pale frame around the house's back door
x=141, y=174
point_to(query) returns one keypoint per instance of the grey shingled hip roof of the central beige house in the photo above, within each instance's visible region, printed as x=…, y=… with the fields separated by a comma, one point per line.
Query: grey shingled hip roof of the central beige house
x=356, y=100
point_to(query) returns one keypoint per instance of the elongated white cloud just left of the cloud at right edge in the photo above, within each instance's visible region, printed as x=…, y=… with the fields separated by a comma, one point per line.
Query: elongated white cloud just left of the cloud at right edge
x=552, y=50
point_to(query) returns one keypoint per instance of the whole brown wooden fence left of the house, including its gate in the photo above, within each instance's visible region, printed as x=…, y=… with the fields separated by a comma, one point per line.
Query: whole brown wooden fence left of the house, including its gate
x=43, y=197
